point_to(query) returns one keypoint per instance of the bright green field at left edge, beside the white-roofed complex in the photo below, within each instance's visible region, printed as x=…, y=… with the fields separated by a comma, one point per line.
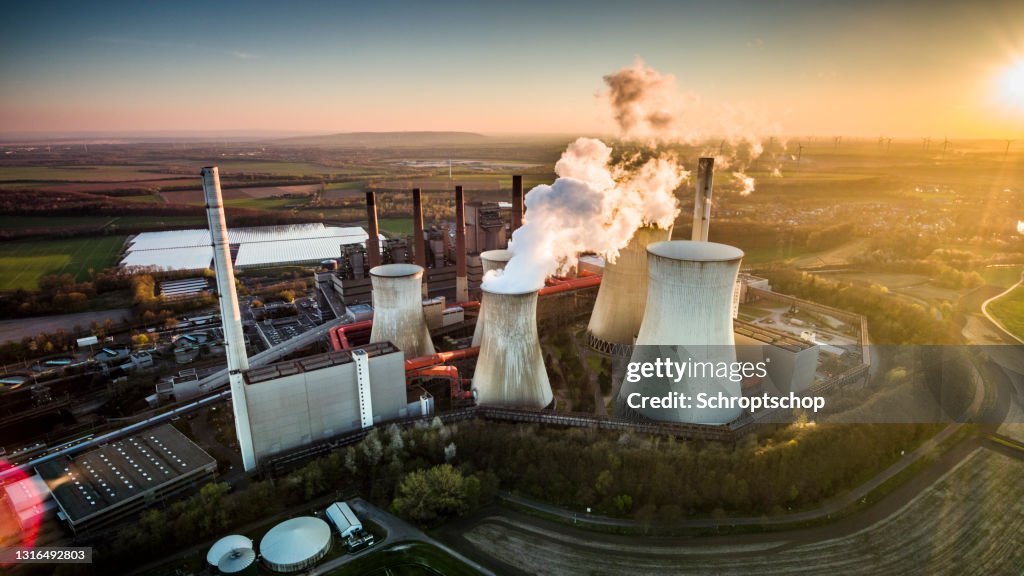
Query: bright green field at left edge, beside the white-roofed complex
x=24, y=263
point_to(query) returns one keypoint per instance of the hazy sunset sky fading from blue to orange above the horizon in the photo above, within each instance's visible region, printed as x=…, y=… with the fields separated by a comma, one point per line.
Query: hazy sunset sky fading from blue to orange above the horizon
x=900, y=69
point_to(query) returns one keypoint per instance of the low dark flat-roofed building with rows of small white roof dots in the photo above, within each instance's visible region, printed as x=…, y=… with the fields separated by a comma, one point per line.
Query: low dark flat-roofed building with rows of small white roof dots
x=123, y=478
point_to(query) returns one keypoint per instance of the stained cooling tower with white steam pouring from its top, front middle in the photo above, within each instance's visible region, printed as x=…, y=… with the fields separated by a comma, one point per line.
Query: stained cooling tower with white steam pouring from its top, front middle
x=510, y=371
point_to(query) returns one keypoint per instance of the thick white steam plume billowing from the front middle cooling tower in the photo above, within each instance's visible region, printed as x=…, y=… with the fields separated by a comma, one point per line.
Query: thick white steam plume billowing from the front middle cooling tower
x=593, y=207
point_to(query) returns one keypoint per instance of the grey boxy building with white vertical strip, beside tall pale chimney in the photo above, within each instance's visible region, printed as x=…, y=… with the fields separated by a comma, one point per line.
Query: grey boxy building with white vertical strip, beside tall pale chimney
x=296, y=403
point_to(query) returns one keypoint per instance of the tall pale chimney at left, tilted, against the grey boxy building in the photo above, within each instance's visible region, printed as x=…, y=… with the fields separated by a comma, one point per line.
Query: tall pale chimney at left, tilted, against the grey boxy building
x=231, y=318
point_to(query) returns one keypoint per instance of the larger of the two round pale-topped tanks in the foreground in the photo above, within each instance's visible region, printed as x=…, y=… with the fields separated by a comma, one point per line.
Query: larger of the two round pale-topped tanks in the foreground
x=295, y=545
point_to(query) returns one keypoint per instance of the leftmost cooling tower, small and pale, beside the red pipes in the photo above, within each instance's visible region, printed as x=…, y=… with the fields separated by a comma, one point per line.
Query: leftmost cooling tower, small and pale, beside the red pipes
x=399, y=309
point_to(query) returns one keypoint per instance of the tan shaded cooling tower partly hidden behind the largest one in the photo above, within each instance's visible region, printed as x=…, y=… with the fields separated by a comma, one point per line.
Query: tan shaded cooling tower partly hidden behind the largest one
x=623, y=297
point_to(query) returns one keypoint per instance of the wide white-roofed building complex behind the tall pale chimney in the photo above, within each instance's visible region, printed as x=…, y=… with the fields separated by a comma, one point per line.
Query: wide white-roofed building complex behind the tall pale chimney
x=252, y=248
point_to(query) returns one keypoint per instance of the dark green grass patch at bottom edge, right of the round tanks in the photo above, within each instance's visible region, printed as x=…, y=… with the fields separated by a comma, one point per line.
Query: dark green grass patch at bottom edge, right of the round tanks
x=406, y=559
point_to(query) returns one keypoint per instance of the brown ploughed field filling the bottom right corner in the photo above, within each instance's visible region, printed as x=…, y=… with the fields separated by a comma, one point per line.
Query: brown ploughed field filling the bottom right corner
x=969, y=522
